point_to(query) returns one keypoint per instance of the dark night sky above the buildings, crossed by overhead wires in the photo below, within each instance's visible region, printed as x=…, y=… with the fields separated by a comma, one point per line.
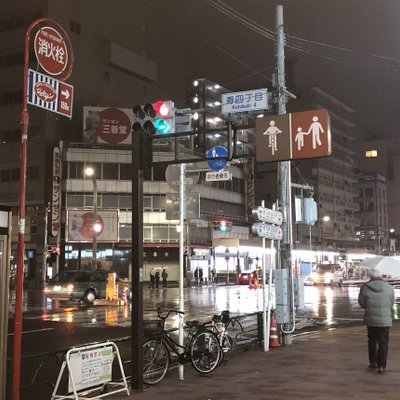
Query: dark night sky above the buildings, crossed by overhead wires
x=350, y=48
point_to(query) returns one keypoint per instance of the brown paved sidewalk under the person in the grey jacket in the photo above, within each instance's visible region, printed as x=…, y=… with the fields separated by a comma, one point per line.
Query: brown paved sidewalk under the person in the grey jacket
x=330, y=364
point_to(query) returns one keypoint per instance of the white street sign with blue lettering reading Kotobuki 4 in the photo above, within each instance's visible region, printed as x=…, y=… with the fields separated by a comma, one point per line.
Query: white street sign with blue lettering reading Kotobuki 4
x=249, y=100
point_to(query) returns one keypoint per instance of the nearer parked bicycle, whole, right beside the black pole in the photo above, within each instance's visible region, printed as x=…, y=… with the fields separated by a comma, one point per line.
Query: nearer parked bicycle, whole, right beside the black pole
x=201, y=348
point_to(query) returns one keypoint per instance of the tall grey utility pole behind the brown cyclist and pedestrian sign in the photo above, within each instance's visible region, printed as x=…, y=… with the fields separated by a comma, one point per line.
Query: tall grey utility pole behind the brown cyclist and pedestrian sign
x=284, y=178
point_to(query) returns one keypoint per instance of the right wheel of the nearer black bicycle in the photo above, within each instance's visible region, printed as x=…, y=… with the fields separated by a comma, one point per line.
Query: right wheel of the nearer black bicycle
x=205, y=352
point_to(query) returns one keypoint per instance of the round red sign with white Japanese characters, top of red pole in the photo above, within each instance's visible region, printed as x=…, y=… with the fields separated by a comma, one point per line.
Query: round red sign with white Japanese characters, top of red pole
x=51, y=50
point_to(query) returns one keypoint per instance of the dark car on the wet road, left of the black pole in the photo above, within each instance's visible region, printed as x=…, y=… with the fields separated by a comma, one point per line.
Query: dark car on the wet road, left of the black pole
x=83, y=285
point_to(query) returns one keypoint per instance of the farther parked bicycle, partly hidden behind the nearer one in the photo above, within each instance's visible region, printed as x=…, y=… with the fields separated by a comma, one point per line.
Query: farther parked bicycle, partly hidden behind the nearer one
x=220, y=325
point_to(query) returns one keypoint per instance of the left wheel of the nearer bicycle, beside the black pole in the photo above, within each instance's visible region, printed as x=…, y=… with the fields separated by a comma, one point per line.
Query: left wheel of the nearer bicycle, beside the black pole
x=155, y=361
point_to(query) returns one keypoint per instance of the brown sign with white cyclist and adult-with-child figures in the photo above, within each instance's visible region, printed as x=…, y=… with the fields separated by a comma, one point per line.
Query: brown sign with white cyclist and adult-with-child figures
x=293, y=136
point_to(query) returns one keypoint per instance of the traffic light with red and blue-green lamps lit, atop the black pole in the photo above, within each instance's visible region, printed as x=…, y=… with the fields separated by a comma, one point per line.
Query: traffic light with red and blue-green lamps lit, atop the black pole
x=155, y=118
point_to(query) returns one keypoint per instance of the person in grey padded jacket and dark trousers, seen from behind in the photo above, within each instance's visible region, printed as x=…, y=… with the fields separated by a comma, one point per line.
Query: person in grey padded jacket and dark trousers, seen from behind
x=377, y=298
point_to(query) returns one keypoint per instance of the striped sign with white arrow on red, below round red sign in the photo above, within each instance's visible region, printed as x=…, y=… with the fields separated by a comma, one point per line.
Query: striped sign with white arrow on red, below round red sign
x=49, y=93
